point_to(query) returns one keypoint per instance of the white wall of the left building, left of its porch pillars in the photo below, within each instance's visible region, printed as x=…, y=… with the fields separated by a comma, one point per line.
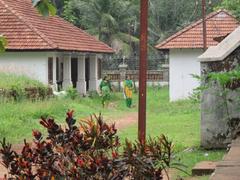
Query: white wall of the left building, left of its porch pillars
x=32, y=64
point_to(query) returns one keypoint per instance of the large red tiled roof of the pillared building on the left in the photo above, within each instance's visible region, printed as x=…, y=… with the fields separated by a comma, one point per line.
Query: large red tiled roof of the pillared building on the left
x=25, y=29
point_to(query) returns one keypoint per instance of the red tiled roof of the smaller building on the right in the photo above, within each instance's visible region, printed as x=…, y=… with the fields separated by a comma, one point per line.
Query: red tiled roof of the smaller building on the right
x=218, y=24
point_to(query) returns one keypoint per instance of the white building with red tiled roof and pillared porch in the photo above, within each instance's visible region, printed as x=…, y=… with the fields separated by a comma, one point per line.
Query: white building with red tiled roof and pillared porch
x=50, y=50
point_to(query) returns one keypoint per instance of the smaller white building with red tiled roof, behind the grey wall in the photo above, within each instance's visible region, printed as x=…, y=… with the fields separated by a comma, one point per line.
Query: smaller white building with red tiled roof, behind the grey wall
x=186, y=45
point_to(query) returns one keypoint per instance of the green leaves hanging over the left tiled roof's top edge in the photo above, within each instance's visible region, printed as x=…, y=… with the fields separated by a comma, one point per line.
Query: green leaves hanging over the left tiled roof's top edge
x=45, y=7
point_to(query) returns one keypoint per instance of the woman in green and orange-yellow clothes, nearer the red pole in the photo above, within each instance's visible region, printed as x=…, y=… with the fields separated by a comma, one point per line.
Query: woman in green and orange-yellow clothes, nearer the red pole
x=128, y=91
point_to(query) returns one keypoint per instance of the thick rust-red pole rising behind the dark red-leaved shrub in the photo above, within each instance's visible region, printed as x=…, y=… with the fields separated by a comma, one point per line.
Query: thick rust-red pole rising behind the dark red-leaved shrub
x=143, y=71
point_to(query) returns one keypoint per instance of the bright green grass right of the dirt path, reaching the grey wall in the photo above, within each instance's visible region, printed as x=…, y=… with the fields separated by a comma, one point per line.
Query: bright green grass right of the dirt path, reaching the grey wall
x=180, y=122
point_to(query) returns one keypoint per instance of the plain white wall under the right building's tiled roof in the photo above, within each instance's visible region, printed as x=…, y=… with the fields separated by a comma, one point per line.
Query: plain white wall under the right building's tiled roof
x=183, y=63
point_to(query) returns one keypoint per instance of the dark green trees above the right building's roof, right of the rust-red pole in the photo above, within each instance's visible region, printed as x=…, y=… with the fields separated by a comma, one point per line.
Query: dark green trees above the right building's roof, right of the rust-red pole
x=168, y=16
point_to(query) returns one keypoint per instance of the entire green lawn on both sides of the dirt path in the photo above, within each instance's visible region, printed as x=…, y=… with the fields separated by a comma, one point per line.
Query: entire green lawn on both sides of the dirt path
x=178, y=120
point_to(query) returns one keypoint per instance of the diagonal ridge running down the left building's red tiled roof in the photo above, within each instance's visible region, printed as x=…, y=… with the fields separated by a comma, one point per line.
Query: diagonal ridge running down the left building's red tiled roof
x=40, y=34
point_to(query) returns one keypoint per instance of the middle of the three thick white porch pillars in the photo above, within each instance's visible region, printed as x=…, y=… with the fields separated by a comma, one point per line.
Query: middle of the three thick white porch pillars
x=81, y=82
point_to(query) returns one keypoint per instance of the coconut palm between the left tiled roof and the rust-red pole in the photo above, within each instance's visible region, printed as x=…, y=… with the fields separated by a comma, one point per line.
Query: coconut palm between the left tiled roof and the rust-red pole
x=111, y=21
